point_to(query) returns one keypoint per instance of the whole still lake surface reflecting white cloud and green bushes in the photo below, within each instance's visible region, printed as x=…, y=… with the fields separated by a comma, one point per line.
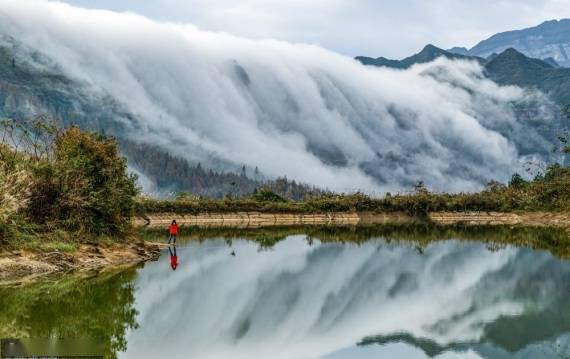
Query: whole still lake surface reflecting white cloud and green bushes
x=302, y=298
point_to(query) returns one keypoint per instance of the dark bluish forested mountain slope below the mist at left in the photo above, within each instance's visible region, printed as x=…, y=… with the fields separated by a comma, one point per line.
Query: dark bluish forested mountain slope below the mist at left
x=30, y=86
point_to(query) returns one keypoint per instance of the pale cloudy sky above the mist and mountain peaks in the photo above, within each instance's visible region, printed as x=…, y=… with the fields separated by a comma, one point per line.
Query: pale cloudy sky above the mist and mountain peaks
x=352, y=27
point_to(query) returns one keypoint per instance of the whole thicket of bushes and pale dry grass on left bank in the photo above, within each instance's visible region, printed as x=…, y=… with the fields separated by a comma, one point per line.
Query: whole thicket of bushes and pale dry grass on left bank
x=62, y=180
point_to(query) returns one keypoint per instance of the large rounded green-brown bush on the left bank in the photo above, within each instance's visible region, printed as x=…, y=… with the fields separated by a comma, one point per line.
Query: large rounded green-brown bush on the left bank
x=85, y=187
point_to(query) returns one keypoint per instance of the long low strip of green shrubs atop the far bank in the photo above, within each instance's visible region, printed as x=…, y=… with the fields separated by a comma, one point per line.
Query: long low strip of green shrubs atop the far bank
x=549, y=192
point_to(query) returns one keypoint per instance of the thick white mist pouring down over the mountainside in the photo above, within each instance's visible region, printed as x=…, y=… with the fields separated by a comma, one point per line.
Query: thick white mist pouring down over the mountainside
x=290, y=109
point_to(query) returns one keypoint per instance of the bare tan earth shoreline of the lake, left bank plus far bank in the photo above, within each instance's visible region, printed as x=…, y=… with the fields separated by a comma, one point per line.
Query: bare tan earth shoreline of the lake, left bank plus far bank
x=22, y=266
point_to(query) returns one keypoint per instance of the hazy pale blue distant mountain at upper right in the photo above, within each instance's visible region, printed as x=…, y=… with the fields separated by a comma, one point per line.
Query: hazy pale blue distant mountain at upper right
x=549, y=39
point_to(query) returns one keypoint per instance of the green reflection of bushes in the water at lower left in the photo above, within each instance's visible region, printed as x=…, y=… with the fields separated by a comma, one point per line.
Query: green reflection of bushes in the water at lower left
x=72, y=307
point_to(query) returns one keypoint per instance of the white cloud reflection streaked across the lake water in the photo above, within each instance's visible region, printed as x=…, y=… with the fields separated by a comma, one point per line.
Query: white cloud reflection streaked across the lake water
x=300, y=301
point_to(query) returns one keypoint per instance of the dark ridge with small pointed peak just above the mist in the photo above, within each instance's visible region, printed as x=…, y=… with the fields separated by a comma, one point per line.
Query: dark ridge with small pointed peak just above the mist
x=428, y=54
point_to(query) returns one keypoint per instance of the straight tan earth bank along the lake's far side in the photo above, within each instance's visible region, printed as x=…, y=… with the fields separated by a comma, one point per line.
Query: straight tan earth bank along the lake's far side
x=262, y=219
